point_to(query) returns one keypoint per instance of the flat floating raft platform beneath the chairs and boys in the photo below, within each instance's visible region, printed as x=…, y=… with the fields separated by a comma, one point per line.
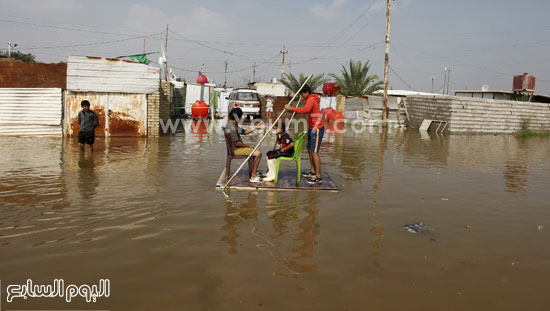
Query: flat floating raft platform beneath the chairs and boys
x=287, y=182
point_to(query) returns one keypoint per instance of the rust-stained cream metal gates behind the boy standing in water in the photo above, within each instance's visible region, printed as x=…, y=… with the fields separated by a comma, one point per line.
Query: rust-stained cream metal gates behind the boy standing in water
x=127, y=113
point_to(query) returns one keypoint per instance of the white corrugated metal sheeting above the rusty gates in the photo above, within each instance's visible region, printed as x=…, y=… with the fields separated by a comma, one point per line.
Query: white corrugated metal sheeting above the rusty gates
x=103, y=75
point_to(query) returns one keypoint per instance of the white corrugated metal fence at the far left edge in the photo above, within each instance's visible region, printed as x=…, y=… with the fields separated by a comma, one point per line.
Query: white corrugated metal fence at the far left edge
x=30, y=111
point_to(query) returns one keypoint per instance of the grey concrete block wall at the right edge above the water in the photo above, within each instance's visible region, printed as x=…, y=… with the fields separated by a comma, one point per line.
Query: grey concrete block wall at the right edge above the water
x=476, y=115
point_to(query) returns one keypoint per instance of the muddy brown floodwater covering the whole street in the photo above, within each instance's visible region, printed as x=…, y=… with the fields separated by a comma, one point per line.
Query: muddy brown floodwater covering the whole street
x=144, y=214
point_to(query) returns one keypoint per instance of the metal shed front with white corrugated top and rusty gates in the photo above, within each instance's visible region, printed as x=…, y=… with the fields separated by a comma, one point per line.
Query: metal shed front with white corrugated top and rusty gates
x=117, y=91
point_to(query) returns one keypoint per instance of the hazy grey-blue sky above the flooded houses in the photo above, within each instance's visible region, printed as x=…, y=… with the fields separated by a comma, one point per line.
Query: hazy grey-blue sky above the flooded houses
x=482, y=42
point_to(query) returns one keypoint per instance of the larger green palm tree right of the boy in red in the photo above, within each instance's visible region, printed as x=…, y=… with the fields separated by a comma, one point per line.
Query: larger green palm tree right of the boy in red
x=356, y=81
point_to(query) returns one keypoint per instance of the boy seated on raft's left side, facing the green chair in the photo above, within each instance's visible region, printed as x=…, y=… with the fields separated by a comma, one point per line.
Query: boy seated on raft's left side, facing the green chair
x=240, y=148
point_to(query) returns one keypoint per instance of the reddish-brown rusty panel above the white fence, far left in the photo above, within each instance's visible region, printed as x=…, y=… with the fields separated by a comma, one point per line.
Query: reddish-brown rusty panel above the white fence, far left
x=17, y=74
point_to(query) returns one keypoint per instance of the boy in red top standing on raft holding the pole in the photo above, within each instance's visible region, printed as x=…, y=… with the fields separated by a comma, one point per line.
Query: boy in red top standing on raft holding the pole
x=315, y=132
